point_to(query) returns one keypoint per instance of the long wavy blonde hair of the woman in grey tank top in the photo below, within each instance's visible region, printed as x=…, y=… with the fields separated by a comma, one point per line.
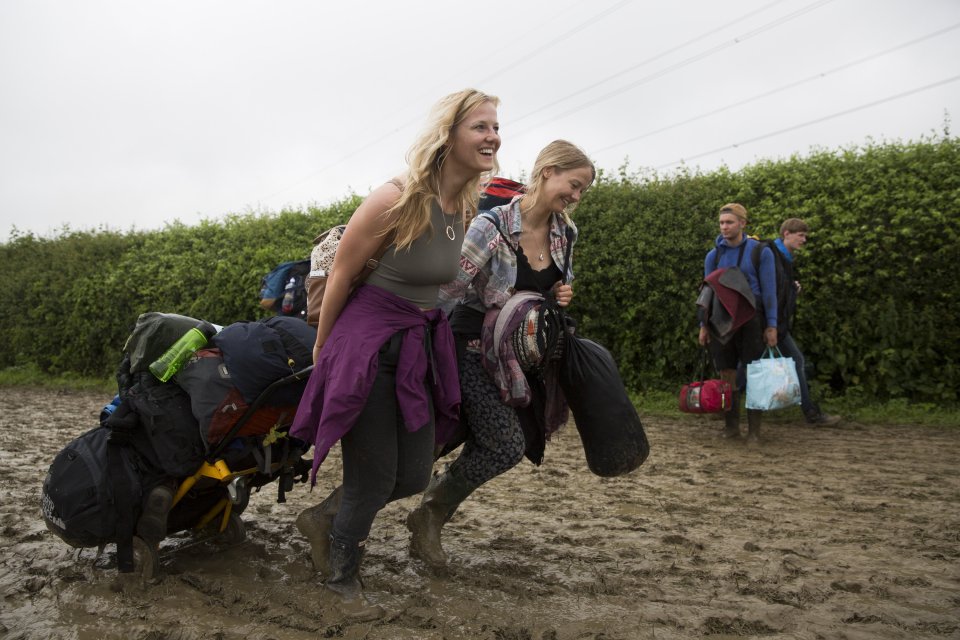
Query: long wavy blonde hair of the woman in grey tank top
x=425, y=160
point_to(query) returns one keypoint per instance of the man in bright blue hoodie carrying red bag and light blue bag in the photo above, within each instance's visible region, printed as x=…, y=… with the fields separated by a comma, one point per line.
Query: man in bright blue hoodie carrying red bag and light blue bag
x=749, y=340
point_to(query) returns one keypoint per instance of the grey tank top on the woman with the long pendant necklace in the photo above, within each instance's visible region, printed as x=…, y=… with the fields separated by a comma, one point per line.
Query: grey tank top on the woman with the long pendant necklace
x=415, y=274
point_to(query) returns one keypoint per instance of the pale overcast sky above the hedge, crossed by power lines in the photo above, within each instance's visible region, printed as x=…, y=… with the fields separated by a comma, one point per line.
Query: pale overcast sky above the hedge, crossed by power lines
x=127, y=114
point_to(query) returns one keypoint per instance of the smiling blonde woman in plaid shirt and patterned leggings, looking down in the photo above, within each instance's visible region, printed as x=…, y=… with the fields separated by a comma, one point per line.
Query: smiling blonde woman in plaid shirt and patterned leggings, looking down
x=523, y=251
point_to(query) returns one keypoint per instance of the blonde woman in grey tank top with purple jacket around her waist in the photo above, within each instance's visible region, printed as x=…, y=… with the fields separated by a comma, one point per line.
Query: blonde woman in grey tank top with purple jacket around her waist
x=389, y=336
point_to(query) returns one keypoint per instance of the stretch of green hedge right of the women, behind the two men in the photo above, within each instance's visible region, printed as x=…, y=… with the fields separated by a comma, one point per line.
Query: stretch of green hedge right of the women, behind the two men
x=878, y=313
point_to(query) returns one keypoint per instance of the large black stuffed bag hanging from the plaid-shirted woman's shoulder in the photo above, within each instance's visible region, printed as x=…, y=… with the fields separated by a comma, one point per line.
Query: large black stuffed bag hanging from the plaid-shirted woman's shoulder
x=613, y=437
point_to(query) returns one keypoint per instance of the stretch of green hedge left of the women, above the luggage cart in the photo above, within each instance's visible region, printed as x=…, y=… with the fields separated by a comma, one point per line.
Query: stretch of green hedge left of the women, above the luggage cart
x=70, y=302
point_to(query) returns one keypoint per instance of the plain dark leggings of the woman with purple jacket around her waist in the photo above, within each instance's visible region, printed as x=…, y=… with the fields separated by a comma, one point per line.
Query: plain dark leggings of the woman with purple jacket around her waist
x=382, y=461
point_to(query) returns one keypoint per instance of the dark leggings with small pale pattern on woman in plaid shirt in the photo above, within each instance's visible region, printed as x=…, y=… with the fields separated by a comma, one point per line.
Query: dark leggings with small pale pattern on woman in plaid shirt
x=495, y=441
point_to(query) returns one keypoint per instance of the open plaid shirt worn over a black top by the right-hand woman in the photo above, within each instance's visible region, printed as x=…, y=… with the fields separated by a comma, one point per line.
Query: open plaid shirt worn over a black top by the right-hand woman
x=488, y=267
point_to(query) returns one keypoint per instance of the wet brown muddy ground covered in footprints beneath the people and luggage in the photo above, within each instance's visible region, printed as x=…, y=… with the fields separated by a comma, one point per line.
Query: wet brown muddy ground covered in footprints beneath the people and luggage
x=846, y=532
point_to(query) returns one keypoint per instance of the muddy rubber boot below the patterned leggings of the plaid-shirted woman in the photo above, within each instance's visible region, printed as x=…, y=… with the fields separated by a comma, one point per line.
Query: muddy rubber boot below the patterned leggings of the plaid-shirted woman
x=443, y=495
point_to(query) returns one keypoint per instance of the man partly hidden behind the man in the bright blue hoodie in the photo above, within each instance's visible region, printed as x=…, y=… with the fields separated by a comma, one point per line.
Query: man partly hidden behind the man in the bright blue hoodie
x=793, y=236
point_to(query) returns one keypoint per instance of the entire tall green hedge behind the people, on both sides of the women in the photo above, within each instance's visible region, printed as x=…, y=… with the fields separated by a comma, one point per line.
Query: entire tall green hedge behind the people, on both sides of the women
x=878, y=311
